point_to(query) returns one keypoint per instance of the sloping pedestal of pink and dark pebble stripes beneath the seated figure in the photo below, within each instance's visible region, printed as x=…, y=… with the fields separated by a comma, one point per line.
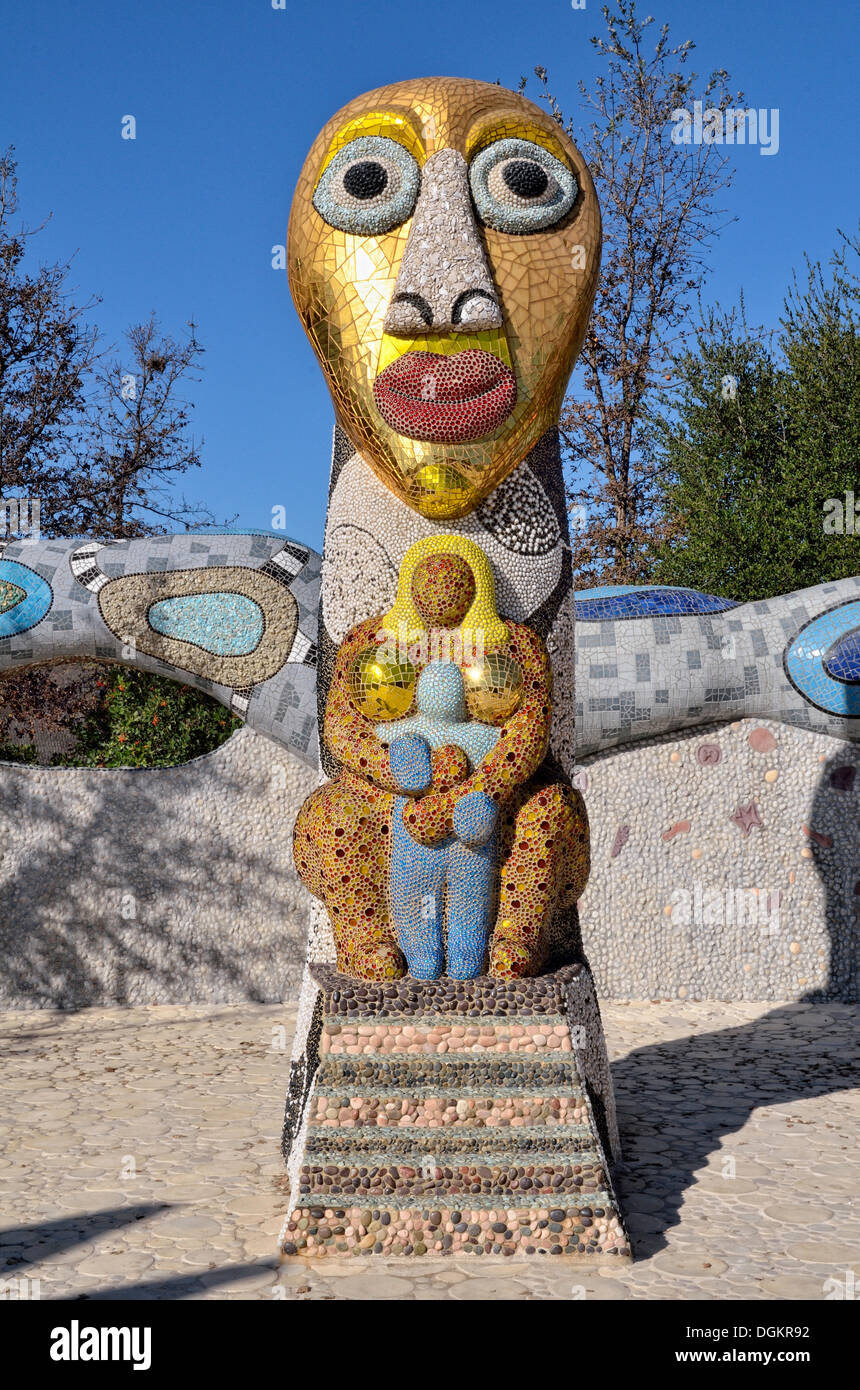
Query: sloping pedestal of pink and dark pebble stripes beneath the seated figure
x=413, y=1152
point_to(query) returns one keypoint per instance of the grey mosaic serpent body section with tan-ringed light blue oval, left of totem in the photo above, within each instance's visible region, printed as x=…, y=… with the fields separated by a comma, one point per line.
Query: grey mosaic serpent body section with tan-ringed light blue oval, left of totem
x=234, y=615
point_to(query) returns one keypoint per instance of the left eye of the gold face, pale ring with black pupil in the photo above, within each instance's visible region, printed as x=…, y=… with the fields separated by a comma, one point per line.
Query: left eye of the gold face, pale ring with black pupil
x=370, y=187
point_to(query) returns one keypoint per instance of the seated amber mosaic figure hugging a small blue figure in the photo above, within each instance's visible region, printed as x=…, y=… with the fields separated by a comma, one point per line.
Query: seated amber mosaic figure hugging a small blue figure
x=466, y=776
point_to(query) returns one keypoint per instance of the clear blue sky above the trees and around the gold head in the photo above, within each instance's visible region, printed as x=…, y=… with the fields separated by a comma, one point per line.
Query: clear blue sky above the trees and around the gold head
x=229, y=97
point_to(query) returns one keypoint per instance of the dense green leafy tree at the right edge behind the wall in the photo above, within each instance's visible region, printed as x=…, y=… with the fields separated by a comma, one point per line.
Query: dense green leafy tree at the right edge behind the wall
x=759, y=445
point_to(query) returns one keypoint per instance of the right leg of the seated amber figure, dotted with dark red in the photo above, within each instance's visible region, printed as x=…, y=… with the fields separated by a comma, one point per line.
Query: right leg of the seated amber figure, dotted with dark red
x=545, y=860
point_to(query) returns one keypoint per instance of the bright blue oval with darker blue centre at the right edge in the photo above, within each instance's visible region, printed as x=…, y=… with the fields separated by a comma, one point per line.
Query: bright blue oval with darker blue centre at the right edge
x=812, y=660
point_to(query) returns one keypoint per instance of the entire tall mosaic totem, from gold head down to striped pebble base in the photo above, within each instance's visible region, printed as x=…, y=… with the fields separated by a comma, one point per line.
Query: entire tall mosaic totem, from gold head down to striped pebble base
x=444, y=251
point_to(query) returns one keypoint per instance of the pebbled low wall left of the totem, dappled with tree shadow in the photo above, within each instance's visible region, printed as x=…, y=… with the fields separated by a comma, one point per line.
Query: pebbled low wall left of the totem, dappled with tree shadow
x=166, y=886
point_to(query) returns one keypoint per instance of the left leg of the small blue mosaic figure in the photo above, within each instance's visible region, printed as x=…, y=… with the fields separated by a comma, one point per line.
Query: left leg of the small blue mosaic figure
x=417, y=881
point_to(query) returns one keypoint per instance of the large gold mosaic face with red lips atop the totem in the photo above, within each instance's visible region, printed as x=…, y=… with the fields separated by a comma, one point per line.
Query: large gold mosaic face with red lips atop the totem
x=444, y=250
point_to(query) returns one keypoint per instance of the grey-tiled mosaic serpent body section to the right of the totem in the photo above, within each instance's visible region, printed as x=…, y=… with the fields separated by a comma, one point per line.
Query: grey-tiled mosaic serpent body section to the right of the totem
x=651, y=661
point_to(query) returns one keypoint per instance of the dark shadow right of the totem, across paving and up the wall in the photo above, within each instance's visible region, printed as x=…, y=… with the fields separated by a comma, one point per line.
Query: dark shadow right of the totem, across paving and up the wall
x=679, y=1102
